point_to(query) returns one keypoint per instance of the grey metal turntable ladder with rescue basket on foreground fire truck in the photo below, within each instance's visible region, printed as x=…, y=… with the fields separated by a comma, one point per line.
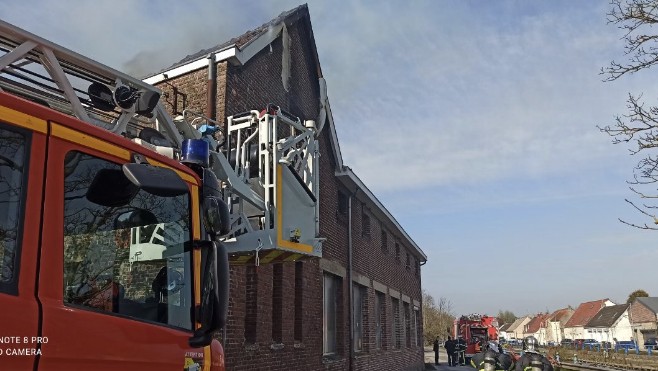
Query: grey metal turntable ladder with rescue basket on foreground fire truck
x=266, y=161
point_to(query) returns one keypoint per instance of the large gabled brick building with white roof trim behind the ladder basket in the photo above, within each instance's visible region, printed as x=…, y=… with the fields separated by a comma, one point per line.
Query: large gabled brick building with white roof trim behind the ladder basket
x=298, y=315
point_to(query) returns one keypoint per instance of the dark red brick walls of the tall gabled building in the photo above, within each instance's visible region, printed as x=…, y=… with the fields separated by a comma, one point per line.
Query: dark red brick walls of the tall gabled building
x=276, y=311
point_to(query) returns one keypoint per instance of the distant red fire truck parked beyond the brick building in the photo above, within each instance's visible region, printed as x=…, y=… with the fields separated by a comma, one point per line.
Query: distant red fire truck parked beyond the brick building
x=474, y=328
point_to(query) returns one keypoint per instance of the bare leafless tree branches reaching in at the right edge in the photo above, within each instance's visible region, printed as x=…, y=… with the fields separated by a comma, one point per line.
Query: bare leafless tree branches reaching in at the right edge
x=639, y=126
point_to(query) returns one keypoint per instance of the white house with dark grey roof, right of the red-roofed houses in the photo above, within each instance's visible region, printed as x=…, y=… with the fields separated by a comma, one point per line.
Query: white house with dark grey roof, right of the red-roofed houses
x=610, y=323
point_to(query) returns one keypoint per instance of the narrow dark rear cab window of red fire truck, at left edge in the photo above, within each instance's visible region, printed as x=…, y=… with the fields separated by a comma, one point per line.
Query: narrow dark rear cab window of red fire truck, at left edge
x=13, y=173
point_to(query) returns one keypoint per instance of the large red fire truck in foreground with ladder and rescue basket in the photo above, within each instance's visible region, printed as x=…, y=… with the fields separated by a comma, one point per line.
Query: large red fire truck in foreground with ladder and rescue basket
x=117, y=221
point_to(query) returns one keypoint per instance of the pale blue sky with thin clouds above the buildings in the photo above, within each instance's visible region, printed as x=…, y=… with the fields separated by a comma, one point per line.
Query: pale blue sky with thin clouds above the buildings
x=474, y=122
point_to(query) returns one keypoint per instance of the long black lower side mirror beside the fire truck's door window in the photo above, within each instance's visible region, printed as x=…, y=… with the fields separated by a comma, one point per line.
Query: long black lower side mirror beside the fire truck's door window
x=214, y=292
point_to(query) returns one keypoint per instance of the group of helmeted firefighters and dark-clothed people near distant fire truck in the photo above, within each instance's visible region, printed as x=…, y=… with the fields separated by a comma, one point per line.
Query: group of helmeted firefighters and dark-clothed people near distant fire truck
x=493, y=358
